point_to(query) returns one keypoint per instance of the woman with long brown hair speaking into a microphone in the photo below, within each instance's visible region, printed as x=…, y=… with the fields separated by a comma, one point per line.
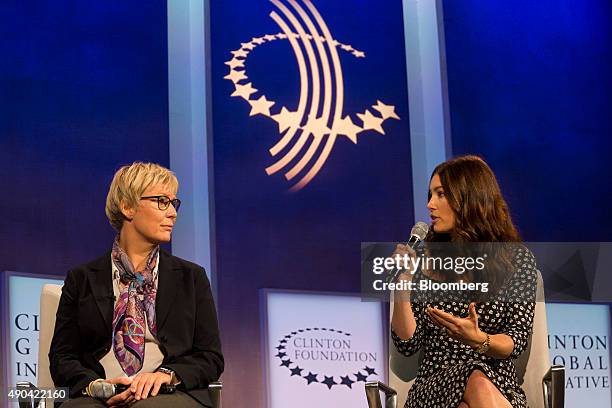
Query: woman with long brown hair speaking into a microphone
x=469, y=340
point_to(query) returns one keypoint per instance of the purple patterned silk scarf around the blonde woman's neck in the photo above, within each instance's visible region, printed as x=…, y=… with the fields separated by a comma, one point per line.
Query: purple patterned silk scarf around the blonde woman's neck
x=136, y=303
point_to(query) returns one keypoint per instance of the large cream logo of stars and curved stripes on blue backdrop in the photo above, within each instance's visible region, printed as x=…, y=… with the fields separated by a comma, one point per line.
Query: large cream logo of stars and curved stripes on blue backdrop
x=308, y=133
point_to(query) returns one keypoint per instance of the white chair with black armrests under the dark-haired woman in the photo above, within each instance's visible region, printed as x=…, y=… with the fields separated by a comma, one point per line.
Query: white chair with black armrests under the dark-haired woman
x=544, y=385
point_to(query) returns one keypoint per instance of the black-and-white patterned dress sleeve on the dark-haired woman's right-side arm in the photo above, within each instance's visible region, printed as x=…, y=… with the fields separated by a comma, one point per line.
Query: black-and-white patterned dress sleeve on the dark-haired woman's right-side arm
x=520, y=297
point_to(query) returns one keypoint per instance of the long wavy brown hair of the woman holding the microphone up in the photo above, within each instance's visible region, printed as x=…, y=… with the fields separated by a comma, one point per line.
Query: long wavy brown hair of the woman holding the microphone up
x=481, y=216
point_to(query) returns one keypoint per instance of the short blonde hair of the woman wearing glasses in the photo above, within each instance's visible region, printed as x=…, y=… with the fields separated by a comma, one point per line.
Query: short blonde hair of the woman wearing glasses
x=128, y=185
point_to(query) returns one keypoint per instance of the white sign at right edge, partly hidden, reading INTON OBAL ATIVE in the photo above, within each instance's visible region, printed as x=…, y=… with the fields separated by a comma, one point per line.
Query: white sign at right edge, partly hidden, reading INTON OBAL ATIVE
x=579, y=339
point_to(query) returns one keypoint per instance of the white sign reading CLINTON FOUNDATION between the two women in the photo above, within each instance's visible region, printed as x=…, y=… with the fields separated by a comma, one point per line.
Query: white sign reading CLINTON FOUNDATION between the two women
x=320, y=349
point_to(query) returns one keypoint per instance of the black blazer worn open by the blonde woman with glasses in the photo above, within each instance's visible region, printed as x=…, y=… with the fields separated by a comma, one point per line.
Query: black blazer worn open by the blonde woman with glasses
x=187, y=327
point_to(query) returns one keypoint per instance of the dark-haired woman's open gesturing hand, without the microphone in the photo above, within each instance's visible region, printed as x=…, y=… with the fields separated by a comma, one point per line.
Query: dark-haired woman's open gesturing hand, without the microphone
x=463, y=329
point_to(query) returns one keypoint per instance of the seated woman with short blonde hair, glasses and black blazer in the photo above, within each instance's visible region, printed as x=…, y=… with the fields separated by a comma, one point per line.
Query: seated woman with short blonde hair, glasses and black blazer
x=138, y=316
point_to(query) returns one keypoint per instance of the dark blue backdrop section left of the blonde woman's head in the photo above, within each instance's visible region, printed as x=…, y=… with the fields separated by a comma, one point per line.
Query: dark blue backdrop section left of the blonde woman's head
x=83, y=90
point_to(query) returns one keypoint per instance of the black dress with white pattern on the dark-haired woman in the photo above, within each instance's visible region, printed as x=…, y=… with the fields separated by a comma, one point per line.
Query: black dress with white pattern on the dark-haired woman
x=447, y=363
